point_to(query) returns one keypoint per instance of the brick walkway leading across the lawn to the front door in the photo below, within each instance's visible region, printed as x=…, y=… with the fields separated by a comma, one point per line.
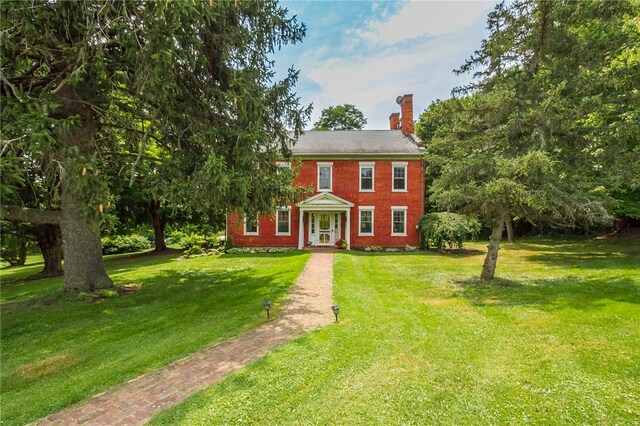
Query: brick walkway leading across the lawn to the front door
x=308, y=307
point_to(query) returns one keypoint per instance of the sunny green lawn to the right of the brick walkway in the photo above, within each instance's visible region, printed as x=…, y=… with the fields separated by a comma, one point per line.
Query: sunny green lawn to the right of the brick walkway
x=555, y=340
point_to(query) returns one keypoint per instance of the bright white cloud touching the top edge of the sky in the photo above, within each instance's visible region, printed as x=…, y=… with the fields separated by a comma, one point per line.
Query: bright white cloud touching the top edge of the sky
x=425, y=18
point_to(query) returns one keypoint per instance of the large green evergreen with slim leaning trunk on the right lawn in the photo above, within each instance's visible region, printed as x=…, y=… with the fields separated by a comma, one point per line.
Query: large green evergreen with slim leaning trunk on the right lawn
x=549, y=129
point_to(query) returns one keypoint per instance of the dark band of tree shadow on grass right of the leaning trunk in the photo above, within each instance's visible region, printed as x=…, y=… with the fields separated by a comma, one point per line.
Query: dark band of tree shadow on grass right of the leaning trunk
x=550, y=294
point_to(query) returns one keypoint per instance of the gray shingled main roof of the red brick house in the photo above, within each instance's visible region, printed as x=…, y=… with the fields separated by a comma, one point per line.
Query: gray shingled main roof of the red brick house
x=358, y=142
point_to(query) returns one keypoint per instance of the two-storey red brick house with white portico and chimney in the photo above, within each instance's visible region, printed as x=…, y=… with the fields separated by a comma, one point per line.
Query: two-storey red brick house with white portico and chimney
x=369, y=191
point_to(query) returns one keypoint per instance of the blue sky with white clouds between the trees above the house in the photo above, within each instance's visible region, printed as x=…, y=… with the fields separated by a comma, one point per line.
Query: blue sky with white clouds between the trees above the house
x=367, y=53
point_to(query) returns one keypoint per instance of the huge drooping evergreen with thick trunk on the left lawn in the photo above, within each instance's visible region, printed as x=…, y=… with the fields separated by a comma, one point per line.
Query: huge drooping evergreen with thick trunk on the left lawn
x=88, y=85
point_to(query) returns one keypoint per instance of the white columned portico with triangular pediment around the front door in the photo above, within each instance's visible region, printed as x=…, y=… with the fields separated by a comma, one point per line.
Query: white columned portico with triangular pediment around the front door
x=323, y=215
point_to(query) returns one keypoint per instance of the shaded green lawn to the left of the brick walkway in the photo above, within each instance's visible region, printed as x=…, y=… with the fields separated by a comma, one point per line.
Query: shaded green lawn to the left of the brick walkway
x=60, y=349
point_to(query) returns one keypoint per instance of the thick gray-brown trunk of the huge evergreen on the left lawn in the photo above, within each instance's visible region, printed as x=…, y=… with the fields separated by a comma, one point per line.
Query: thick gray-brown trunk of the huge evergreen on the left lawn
x=83, y=265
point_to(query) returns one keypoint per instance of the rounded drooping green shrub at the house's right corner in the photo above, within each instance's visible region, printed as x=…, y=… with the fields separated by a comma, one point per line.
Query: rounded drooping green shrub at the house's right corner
x=451, y=229
